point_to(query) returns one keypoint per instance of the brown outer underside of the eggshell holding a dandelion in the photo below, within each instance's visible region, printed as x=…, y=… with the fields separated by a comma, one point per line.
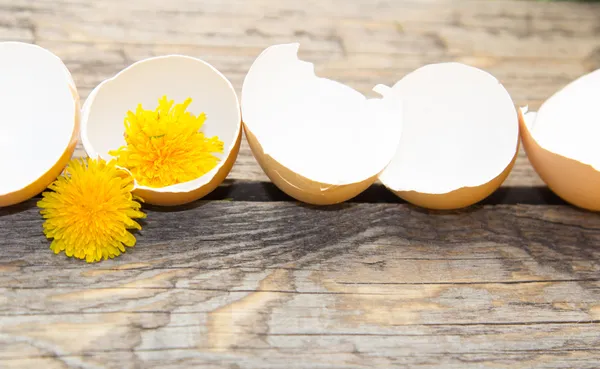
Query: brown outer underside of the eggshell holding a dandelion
x=180, y=198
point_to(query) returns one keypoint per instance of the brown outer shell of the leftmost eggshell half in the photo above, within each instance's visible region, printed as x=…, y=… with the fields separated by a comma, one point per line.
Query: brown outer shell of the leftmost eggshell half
x=50, y=176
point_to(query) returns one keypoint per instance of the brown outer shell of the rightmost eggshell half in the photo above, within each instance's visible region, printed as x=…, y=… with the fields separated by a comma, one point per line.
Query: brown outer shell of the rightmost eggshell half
x=571, y=180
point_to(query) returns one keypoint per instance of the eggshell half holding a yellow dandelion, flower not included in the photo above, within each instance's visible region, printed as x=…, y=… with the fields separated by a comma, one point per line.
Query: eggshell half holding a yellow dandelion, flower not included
x=144, y=82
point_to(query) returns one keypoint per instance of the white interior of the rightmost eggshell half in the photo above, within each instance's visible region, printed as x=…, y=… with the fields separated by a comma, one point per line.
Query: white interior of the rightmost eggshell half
x=568, y=123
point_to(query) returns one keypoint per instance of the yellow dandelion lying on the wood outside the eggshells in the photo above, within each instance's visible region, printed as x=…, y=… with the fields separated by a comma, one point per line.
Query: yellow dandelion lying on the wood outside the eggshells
x=90, y=209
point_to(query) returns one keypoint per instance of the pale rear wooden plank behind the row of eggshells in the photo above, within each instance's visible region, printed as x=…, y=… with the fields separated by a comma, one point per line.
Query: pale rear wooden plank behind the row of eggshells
x=534, y=48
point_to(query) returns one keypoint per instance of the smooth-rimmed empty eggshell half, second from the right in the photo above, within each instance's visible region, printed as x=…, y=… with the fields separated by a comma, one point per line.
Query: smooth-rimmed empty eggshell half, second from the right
x=460, y=136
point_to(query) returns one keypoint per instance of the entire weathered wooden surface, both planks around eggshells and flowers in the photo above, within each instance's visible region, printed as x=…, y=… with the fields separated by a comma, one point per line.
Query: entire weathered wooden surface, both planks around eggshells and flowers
x=250, y=279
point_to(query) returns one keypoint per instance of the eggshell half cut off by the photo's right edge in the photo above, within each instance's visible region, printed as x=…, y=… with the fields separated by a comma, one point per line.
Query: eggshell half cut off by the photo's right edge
x=561, y=141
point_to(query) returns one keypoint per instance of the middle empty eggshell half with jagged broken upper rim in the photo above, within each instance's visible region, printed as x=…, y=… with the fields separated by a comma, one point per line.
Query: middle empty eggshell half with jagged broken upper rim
x=318, y=140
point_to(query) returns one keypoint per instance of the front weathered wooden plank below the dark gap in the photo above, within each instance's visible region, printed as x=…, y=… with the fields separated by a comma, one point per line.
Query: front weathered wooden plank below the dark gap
x=263, y=284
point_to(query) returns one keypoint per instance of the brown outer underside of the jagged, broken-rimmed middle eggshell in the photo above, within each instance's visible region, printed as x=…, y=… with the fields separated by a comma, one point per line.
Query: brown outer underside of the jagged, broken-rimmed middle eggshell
x=300, y=187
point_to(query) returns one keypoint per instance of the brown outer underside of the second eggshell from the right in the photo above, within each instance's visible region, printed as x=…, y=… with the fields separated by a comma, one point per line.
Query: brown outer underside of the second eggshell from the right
x=460, y=198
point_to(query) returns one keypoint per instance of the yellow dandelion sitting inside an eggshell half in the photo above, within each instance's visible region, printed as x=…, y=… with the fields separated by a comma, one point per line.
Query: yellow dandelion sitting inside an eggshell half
x=165, y=146
